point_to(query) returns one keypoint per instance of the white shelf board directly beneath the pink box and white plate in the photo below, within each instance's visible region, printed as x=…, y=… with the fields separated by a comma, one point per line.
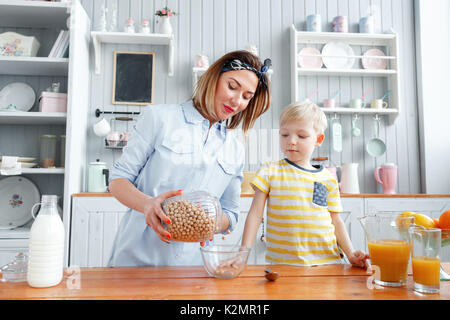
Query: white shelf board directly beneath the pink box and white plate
x=33, y=118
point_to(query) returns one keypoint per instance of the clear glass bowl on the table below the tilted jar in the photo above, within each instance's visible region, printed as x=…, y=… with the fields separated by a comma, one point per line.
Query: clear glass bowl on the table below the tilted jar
x=224, y=261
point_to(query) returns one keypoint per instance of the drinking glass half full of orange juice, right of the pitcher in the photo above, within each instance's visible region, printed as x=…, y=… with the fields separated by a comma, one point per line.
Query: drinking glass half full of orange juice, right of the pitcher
x=426, y=262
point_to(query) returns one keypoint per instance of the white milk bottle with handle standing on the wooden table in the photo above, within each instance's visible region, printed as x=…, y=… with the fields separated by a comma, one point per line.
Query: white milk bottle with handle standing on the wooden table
x=46, y=247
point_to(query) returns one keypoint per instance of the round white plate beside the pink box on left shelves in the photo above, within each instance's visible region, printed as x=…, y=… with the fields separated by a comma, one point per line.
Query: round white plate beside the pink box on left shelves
x=19, y=94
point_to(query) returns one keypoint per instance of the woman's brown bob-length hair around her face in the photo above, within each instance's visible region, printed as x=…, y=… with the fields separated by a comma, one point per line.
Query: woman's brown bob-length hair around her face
x=206, y=89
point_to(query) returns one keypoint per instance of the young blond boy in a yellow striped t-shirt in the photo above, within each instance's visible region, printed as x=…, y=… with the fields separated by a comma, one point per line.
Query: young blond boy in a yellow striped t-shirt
x=303, y=223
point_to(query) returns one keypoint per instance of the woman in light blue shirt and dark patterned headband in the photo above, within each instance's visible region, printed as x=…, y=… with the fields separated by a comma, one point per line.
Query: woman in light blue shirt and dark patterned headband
x=186, y=147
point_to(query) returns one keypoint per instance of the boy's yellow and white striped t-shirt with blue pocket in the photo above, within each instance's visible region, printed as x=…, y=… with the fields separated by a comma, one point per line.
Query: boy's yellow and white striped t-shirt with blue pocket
x=299, y=229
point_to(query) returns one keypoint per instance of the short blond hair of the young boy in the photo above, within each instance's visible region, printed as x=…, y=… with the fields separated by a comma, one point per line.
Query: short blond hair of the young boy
x=305, y=110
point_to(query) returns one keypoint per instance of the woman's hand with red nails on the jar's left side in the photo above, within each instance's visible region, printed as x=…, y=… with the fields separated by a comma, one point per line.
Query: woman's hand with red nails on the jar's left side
x=154, y=214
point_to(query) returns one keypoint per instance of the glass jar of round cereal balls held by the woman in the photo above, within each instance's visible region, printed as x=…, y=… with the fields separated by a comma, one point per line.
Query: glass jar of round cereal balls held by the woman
x=194, y=216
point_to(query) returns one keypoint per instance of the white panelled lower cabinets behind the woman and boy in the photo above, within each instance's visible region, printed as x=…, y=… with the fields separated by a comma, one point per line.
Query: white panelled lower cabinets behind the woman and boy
x=95, y=221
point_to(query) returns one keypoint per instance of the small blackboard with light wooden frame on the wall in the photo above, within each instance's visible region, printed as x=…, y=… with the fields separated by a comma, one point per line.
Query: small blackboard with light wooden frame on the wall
x=133, y=78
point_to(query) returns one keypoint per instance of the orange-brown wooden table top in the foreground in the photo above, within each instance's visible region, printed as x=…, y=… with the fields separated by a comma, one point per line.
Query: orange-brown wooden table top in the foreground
x=332, y=282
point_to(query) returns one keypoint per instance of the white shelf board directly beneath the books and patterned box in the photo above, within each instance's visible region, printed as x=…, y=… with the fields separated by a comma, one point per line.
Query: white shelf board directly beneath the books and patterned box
x=34, y=66
